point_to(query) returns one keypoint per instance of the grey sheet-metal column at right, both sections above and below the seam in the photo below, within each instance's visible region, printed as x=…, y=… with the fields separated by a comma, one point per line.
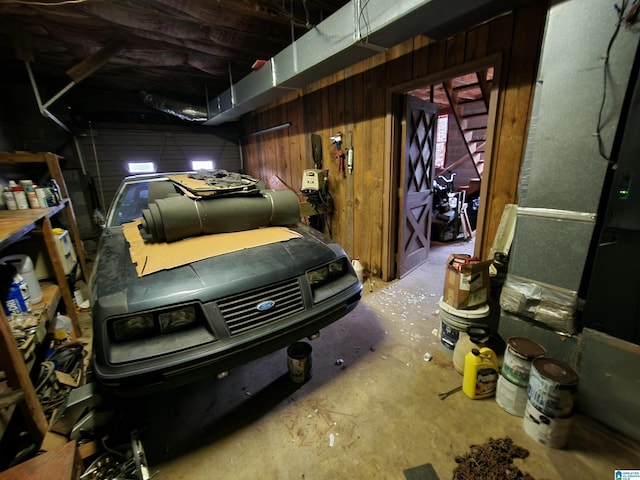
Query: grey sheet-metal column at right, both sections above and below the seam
x=562, y=169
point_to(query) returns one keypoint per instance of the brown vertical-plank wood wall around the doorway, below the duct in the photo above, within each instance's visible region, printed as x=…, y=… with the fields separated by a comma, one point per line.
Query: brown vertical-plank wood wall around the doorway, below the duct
x=358, y=99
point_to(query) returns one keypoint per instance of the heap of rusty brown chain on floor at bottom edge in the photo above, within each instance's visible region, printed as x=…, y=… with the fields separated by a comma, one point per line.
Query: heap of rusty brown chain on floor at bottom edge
x=493, y=460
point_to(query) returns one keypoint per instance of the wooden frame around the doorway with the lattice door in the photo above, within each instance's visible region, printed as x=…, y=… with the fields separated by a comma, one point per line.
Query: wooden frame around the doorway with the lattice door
x=393, y=160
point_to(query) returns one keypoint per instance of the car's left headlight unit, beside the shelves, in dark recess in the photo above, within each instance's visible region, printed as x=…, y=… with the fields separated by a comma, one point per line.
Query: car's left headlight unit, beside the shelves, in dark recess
x=148, y=324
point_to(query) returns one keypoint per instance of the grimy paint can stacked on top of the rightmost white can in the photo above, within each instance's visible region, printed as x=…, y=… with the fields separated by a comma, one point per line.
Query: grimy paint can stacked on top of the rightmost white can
x=552, y=387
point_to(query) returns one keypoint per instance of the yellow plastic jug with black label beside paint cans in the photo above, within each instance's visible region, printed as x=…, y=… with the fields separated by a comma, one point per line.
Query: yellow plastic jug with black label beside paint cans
x=480, y=377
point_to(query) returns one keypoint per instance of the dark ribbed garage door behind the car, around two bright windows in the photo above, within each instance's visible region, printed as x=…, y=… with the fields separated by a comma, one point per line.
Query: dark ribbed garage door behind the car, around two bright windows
x=105, y=154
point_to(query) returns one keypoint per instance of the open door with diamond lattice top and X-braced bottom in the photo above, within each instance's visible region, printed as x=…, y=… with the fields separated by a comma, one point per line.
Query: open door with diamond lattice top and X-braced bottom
x=416, y=180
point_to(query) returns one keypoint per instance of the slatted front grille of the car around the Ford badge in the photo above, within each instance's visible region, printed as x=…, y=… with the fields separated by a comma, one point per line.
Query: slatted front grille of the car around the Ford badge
x=240, y=312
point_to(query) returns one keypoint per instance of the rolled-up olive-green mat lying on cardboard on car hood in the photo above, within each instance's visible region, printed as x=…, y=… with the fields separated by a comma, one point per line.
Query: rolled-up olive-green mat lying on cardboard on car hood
x=177, y=217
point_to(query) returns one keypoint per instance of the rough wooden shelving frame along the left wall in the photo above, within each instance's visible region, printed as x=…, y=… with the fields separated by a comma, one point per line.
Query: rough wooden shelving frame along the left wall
x=15, y=225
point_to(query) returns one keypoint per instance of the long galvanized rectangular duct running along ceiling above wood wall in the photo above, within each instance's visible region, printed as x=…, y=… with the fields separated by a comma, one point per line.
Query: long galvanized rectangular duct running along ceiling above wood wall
x=357, y=31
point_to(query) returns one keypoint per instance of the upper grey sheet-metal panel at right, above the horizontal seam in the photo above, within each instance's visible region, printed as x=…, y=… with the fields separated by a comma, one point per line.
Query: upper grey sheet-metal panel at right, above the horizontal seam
x=566, y=171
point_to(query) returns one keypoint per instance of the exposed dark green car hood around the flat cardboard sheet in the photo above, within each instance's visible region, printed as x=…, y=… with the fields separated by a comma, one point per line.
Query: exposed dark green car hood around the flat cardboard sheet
x=119, y=289
